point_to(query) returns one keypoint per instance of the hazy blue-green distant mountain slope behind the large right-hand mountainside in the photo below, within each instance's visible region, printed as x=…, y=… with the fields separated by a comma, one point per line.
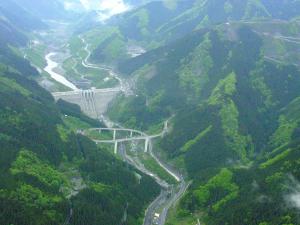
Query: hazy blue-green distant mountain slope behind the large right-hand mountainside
x=161, y=22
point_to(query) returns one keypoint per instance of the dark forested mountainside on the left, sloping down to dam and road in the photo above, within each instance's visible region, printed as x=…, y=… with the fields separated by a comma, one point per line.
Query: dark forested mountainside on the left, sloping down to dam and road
x=50, y=174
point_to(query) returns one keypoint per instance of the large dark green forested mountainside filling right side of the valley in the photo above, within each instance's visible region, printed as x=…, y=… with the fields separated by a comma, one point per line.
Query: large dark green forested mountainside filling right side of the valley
x=236, y=124
